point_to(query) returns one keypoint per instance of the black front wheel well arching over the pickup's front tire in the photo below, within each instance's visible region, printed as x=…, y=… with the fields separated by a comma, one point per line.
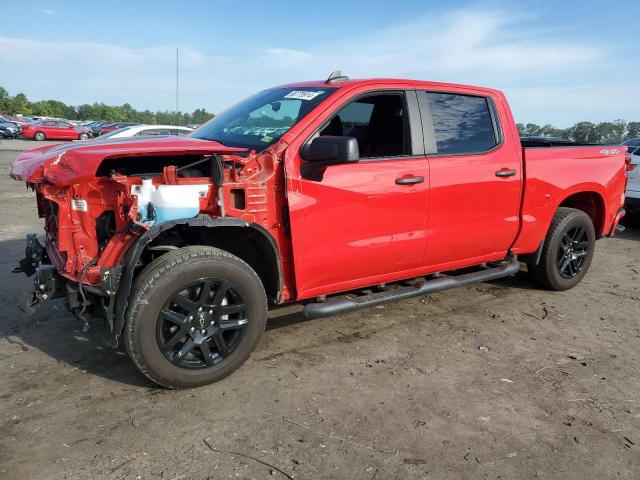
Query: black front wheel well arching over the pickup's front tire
x=250, y=244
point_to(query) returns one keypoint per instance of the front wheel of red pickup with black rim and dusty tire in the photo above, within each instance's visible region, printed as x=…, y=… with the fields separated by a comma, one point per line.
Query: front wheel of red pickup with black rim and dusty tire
x=195, y=316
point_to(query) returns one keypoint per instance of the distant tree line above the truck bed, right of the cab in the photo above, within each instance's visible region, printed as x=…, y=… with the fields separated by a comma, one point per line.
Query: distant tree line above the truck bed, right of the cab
x=586, y=132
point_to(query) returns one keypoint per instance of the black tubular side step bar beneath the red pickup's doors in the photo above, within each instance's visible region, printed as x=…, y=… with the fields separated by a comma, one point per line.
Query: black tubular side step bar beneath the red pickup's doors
x=348, y=304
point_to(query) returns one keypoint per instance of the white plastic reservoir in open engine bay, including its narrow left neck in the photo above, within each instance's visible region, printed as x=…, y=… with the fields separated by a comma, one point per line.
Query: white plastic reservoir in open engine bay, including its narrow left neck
x=167, y=202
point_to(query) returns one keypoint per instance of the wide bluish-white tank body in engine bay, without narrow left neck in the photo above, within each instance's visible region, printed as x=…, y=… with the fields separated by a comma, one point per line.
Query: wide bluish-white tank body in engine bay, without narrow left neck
x=173, y=202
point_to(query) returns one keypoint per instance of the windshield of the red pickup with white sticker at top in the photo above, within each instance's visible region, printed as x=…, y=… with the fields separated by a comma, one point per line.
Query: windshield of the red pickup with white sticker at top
x=260, y=120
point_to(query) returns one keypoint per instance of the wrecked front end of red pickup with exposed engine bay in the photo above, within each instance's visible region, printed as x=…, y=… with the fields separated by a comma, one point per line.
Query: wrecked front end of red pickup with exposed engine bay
x=98, y=199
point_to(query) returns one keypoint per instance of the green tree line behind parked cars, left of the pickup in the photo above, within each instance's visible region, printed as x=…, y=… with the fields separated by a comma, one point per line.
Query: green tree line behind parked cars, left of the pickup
x=20, y=104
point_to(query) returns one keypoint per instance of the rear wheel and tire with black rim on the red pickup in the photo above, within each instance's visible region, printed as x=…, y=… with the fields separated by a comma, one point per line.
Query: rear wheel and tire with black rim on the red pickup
x=567, y=252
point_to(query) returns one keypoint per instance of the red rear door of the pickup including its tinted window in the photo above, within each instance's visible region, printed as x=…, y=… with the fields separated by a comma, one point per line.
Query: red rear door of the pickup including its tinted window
x=476, y=180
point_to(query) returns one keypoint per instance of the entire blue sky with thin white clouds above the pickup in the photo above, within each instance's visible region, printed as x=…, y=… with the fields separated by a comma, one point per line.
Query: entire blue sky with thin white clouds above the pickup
x=557, y=62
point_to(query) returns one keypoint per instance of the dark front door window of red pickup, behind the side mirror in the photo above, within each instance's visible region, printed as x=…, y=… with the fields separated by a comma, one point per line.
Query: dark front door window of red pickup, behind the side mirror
x=378, y=122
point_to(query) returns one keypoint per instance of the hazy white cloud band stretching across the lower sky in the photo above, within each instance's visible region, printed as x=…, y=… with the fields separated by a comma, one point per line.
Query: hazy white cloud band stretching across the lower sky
x=545, y=74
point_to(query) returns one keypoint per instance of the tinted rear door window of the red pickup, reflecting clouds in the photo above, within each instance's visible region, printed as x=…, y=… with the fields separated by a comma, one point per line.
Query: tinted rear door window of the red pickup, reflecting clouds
x=461, y=123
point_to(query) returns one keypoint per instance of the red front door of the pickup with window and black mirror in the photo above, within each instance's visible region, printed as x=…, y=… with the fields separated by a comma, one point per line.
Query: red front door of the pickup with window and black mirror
x=362, y=223
